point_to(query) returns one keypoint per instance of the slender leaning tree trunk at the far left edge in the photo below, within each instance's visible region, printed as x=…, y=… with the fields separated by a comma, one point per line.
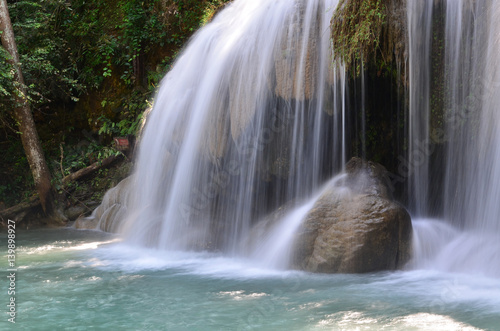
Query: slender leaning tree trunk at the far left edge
x=22, y=112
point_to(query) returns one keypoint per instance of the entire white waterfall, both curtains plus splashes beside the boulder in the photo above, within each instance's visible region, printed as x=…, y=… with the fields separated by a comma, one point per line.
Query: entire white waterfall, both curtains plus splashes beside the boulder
x=255, y=115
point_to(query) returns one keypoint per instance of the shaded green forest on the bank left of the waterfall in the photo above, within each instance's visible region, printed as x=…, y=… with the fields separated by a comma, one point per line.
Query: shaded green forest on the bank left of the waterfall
x=90, y=68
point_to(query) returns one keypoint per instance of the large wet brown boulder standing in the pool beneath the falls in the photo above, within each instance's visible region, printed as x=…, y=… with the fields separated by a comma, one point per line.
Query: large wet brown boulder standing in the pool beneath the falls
x=355, y=226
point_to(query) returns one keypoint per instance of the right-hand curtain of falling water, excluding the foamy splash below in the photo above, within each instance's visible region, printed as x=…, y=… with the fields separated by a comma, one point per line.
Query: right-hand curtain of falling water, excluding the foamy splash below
x=464, y=129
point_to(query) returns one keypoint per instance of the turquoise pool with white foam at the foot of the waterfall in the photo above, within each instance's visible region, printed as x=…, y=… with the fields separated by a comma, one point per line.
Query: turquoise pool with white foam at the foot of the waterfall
x=83, y=280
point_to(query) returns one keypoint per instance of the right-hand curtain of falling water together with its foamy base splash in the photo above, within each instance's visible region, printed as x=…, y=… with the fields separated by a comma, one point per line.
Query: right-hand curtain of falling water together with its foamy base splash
x=468, y=130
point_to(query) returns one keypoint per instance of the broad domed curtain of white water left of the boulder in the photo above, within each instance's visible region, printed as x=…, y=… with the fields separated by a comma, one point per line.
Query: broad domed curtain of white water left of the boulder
x=250, y=117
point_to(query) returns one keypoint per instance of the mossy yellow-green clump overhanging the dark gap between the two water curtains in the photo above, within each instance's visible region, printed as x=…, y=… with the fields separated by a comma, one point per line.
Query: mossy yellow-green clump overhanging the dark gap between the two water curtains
x=356, y=27
